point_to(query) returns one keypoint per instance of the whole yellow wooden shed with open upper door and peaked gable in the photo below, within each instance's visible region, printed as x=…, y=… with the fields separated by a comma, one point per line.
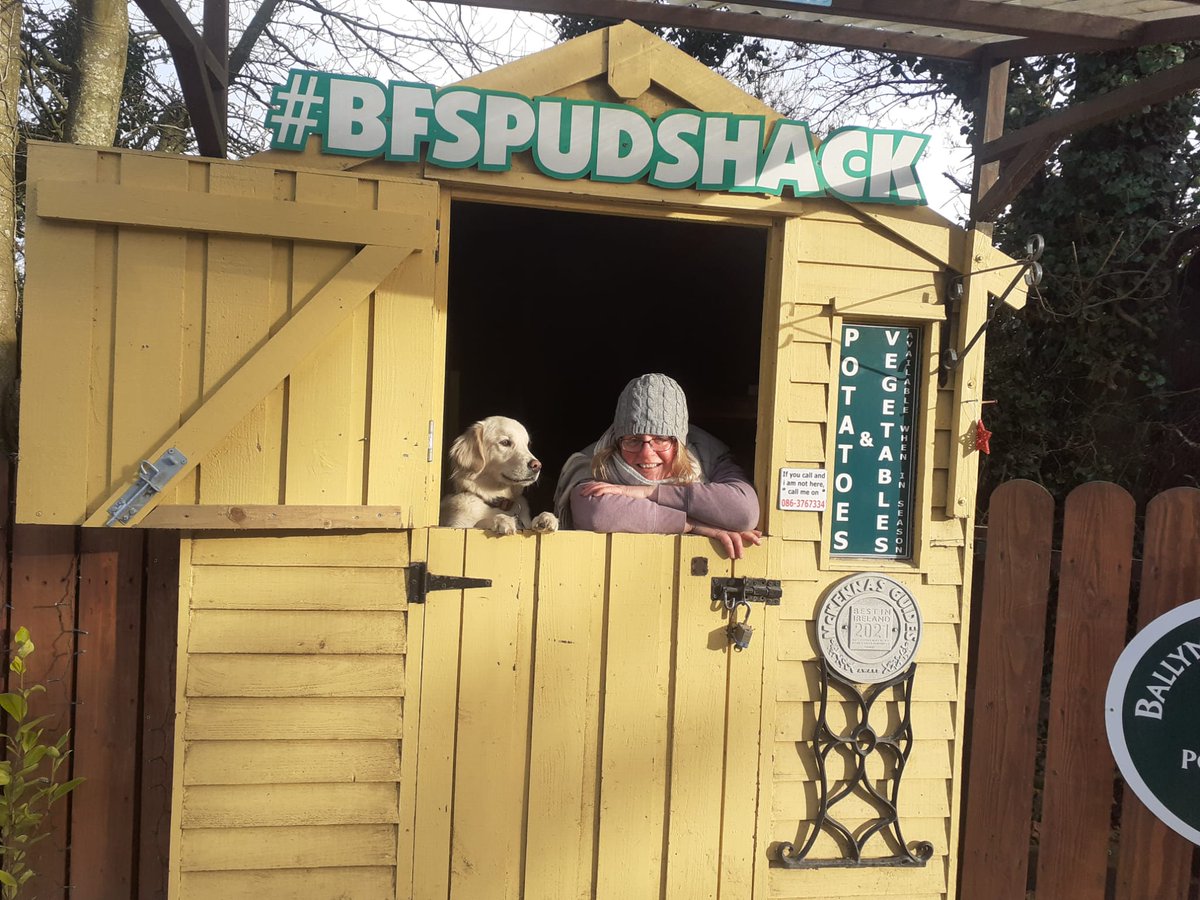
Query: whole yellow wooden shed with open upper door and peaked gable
x=272, y=357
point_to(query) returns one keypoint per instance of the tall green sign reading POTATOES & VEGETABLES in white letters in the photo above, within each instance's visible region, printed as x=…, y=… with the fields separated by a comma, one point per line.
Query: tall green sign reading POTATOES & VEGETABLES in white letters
x=874, y=459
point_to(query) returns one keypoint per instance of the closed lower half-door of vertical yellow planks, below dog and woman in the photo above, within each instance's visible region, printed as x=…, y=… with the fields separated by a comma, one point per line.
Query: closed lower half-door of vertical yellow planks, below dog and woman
x=585, y=729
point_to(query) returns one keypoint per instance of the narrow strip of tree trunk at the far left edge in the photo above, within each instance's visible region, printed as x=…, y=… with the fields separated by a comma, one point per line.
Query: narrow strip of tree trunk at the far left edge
x=11, y=15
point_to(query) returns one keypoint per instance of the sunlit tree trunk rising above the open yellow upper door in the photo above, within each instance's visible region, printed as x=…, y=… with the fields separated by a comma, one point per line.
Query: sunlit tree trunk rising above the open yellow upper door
x=101, y=73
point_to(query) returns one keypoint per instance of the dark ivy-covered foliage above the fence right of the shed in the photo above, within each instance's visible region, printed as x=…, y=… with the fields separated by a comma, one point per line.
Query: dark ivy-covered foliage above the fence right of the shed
x=1097, y=377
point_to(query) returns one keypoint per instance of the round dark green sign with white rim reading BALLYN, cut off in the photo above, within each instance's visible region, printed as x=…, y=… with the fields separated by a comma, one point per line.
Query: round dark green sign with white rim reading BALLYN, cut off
x=1151, y=717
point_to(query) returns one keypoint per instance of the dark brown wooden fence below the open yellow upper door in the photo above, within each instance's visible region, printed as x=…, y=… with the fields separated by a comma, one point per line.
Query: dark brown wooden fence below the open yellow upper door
x=101, y=609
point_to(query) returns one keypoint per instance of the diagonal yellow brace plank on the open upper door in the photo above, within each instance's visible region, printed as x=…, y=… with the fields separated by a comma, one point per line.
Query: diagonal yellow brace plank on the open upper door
x=269, y=365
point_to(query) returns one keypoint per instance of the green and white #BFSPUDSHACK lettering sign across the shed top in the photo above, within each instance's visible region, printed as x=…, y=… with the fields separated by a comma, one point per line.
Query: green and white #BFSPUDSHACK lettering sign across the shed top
x=471, y=128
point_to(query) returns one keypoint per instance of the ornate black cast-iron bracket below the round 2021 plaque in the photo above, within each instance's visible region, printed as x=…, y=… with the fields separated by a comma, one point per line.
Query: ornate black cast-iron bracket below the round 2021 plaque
x=857, y=747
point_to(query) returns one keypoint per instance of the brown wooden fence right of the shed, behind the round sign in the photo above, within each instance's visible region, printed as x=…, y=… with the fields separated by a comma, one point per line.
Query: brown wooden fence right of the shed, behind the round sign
x=1046, y=814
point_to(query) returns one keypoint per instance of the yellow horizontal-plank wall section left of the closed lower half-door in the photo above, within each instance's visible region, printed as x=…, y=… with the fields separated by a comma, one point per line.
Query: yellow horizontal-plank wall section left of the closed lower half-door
x=292, y=698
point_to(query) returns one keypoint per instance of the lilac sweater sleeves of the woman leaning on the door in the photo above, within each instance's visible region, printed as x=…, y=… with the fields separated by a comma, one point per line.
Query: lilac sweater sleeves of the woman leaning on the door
x=728, y=501
